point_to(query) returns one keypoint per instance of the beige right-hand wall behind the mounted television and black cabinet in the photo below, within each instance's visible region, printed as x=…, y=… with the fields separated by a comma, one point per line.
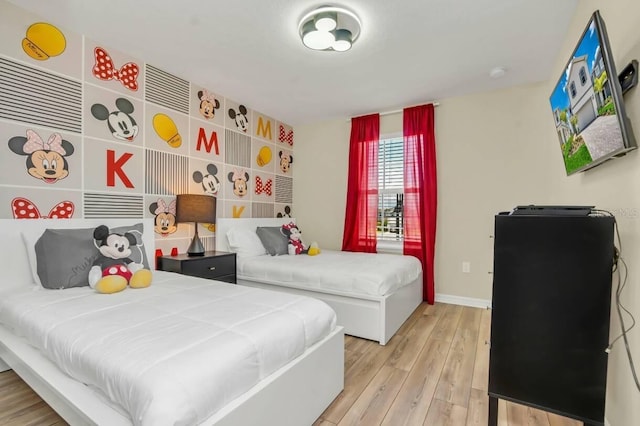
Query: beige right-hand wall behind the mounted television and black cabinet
x=616, y=186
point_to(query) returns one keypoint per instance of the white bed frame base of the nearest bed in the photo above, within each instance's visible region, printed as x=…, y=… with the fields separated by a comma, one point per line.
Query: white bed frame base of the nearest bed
x=298, y=393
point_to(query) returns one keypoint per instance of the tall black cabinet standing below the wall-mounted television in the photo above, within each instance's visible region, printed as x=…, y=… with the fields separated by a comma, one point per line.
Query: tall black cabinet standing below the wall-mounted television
x=550, y=316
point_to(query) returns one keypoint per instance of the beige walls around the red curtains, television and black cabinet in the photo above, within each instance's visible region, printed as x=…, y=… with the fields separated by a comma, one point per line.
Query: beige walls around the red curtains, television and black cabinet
x=497, y=150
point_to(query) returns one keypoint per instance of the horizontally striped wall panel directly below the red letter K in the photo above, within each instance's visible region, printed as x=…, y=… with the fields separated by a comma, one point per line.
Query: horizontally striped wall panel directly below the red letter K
x=99, y=206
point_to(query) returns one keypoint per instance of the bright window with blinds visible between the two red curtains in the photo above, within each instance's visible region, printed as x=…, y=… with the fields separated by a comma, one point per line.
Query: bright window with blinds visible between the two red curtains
x=390, y=189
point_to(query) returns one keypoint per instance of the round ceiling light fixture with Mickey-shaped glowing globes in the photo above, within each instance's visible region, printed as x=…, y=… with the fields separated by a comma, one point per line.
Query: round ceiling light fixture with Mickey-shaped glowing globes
x=329, y=28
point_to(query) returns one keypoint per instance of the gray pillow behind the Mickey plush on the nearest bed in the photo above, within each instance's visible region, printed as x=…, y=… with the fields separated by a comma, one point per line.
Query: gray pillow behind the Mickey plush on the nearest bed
x=64, y=256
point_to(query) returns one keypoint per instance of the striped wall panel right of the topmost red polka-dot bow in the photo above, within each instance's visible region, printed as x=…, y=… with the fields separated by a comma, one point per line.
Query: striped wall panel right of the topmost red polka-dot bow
x=166, y=89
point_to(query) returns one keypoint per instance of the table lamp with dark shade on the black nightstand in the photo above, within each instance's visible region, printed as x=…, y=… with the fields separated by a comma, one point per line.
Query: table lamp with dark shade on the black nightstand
x=195, y=208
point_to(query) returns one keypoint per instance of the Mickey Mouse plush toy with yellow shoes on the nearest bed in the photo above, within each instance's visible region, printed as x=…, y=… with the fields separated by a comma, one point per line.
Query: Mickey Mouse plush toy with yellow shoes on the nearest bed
x=113, y=269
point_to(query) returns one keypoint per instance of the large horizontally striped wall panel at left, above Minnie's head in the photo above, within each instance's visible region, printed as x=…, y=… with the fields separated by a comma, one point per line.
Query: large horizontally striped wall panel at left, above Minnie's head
x=34, y=96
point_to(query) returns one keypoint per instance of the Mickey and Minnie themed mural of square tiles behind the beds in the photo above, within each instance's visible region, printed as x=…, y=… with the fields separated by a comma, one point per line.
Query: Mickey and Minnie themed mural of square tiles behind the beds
x=91, y=132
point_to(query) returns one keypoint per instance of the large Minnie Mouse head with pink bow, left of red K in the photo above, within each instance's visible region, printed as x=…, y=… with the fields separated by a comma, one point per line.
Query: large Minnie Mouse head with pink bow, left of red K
x=45, y=160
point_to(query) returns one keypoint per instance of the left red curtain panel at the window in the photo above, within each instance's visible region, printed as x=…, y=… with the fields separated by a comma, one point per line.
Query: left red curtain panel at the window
x=362, y=185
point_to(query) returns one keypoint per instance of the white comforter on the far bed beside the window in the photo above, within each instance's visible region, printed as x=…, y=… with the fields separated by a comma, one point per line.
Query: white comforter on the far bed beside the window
x=341, y=271
